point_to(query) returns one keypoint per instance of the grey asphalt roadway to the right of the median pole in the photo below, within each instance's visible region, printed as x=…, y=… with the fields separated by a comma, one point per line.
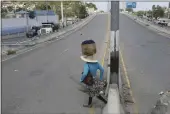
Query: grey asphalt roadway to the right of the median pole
x=147, y=59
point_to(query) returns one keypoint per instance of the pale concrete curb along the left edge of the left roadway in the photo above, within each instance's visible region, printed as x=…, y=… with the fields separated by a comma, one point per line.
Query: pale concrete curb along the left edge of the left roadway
x=48, y=40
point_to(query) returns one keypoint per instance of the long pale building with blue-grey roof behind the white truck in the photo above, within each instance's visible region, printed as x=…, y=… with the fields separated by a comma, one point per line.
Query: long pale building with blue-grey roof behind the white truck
x=15, y=25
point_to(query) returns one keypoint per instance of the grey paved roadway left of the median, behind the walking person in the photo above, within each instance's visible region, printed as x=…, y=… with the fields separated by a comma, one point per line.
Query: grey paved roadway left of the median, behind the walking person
x=39, y=81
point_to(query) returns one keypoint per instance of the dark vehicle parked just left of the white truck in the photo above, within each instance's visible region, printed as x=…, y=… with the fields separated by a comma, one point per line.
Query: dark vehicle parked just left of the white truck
x=33, y=32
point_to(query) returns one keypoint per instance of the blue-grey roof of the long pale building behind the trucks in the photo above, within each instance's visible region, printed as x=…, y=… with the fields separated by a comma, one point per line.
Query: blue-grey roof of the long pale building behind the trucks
x=44, y=12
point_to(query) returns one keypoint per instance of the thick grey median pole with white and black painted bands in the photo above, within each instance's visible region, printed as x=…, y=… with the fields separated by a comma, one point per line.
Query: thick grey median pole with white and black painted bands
x=114, y=44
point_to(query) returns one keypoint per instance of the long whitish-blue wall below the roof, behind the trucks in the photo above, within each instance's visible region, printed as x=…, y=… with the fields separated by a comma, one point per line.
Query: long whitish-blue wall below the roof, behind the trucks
x=13, y=25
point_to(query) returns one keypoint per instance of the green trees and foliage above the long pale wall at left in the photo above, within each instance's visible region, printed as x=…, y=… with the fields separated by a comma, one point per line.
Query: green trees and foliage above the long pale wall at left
x=70, y=8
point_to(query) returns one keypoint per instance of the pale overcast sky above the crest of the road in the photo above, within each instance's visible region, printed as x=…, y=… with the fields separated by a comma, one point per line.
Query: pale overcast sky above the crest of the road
x=140, y=5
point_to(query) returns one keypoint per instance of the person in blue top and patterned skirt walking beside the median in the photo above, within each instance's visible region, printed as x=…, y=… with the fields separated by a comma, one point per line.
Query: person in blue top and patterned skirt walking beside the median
x=90, y=70
